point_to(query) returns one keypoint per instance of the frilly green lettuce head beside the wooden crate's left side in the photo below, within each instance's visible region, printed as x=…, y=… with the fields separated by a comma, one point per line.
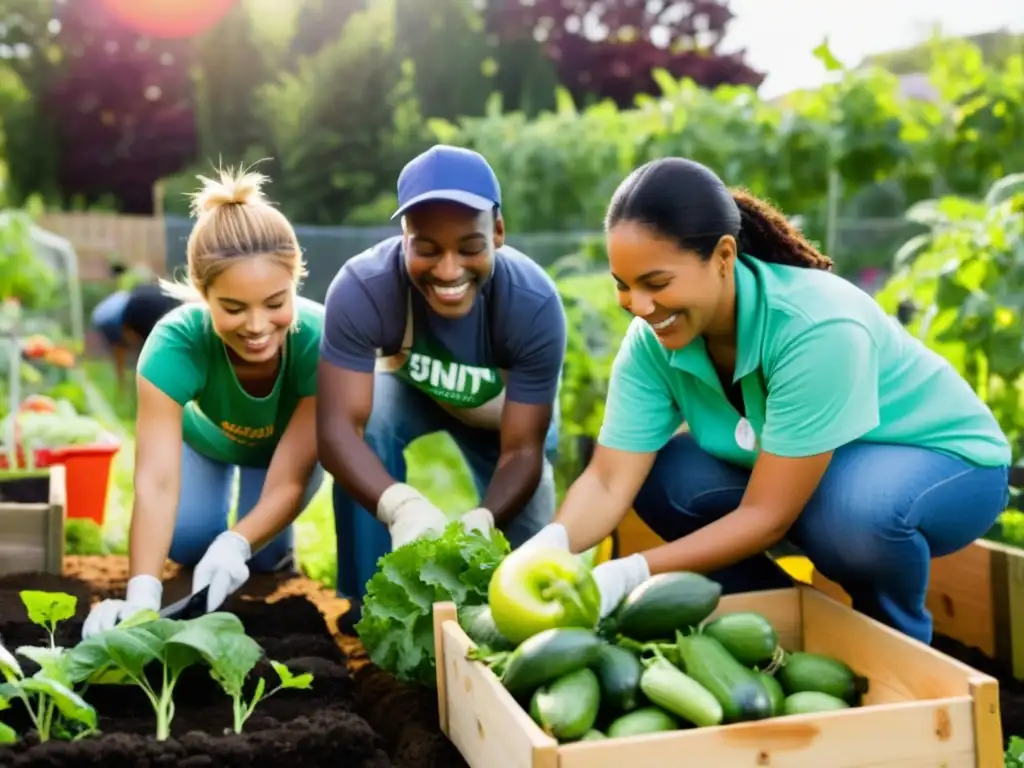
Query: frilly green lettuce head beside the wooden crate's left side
x=398, y=628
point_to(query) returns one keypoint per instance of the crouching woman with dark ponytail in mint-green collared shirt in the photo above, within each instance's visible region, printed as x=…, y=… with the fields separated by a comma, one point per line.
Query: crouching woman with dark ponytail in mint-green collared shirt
x=813, y=416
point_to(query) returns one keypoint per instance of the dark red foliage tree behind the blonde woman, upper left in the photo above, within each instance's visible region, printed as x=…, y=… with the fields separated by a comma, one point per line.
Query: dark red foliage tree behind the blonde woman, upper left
x=123, y=109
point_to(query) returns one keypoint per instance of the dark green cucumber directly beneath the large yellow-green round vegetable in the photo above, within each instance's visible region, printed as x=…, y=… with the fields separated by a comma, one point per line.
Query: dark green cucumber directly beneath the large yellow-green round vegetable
x=547, y=656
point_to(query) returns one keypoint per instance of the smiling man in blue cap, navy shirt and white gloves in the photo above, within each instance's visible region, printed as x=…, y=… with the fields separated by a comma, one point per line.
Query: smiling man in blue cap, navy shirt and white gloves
x=443, y=328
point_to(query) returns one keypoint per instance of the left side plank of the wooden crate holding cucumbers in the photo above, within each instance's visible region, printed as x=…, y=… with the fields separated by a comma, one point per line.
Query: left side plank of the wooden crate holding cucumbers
x=485, y=722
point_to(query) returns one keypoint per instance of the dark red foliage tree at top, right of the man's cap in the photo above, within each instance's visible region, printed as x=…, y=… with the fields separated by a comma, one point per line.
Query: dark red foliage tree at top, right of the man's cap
x=608, y=49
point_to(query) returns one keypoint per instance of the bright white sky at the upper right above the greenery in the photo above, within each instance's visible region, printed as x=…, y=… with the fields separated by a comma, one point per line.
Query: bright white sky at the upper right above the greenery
x=779, y=35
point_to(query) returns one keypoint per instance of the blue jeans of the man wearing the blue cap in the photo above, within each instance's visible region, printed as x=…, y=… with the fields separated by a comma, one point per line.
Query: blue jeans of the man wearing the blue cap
x=401, y=415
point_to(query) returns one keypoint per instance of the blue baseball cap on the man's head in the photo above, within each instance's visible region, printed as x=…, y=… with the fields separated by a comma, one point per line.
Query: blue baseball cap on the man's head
x=452, y=174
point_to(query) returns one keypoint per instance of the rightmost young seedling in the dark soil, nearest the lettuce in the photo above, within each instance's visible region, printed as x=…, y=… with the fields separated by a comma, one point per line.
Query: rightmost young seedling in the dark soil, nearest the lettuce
x=221, y=639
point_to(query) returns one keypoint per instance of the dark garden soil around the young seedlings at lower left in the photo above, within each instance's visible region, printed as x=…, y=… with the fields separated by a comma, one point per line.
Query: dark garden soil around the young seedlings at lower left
x=356, y=716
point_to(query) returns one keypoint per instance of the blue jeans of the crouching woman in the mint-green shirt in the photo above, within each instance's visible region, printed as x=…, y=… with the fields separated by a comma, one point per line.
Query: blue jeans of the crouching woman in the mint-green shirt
x=879, y=516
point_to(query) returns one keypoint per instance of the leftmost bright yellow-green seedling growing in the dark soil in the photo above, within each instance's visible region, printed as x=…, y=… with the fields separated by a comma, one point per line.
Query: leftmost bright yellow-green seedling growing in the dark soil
x=51, y=687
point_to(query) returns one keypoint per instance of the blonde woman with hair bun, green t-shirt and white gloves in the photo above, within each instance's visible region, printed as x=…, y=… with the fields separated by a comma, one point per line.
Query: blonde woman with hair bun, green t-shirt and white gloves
x=226, y=381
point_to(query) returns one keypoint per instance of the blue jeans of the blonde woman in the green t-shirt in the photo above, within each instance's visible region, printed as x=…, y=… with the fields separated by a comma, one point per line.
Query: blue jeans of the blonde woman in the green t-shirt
x=207, y=488
